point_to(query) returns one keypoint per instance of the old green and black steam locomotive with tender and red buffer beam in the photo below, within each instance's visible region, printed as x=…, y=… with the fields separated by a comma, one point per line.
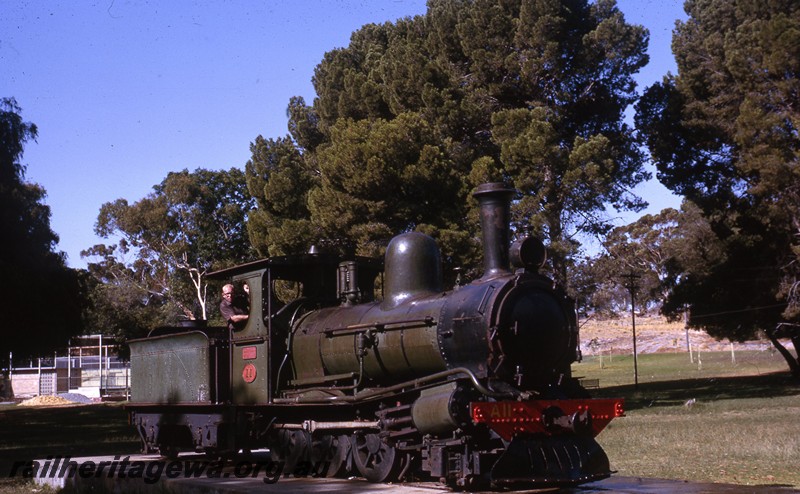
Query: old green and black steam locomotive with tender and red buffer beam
x=470, y=386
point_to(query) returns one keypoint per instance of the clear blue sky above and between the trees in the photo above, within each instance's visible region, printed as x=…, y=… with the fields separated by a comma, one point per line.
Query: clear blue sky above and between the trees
x=123, y=92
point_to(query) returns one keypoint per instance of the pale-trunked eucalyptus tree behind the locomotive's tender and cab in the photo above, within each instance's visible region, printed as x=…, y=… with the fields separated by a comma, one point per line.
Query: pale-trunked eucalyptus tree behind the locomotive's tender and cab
x=168, y=241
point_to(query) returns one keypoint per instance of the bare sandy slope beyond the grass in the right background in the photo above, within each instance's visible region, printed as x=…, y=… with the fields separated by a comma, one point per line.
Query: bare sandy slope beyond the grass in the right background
x=653, y=335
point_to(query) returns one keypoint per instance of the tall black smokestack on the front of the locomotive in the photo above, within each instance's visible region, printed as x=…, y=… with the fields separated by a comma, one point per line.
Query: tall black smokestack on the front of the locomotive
x=494, y=199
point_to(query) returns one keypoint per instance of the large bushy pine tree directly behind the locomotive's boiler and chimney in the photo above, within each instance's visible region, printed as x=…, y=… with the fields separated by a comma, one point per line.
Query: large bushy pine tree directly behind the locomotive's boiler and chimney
x=413, y=115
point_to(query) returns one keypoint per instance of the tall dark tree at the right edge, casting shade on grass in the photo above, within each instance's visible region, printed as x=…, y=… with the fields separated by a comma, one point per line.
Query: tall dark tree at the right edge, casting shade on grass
x=724, y=133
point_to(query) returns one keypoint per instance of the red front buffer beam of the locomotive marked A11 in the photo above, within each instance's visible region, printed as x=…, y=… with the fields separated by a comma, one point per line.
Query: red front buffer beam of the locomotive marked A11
x=550, y=417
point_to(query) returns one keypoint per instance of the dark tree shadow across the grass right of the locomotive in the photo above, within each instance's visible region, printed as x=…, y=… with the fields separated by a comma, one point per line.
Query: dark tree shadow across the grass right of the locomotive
x=672, y=393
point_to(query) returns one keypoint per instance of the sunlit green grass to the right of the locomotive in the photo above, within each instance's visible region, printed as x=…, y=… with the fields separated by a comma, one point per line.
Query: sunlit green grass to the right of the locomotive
x=742, y=427
